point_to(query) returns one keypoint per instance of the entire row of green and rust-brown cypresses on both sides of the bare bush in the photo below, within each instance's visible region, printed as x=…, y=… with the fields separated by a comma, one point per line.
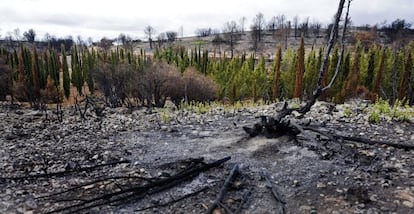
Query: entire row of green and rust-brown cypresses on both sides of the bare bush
x=367, y=72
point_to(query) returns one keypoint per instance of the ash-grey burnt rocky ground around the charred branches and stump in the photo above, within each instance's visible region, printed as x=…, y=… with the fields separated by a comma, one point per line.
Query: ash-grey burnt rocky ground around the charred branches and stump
x=312, y=174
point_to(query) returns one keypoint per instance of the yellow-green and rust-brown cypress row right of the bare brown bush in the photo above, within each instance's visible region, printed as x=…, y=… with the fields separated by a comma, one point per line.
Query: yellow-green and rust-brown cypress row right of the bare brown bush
x=365, y=72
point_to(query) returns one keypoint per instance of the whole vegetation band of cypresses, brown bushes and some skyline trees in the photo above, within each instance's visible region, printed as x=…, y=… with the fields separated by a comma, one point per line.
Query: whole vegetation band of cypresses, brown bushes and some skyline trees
x=124, y=77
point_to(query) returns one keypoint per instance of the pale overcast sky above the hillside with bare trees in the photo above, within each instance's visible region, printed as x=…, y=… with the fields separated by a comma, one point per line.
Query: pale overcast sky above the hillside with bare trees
x=98, y=18
